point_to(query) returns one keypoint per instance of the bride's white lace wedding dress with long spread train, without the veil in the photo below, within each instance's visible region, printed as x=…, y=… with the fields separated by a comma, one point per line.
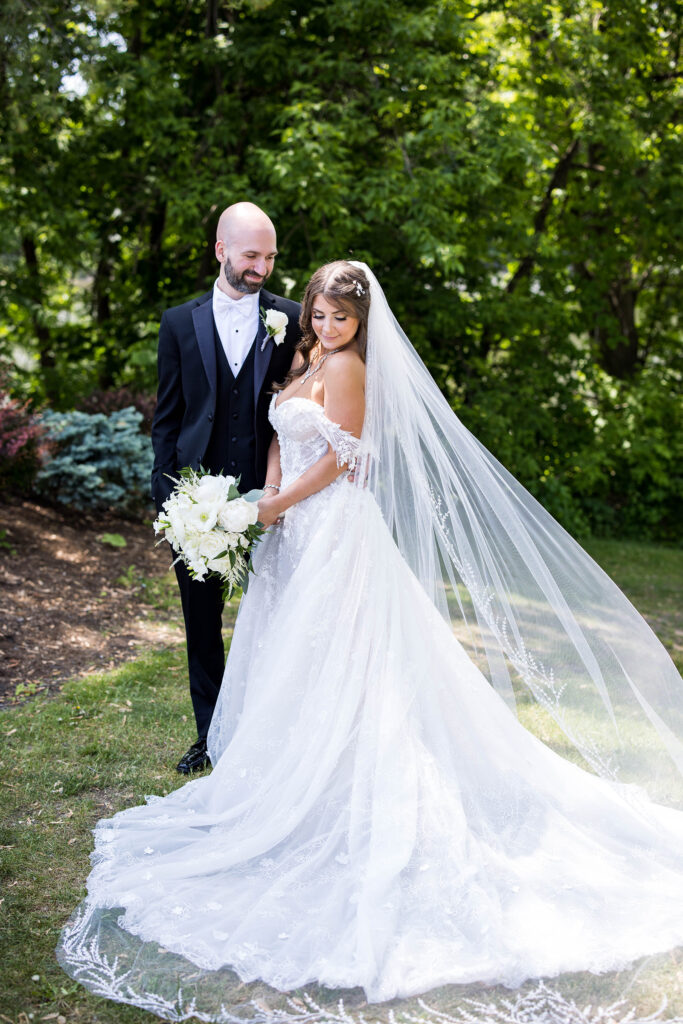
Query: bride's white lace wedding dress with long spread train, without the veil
x=376, y=816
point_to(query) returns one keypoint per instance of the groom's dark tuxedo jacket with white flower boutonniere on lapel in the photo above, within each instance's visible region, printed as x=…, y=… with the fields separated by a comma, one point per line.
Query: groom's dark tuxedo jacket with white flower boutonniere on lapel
x=187, y=397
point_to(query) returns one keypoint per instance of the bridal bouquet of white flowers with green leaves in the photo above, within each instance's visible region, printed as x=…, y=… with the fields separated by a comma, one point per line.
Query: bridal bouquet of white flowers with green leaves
x=211, y=527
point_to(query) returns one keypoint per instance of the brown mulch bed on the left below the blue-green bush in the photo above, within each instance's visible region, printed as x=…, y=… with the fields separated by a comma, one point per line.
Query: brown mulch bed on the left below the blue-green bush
x=63, y=613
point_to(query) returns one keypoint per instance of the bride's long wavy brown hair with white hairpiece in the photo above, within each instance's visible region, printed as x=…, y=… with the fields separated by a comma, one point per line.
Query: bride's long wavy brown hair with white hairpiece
x=350, y=288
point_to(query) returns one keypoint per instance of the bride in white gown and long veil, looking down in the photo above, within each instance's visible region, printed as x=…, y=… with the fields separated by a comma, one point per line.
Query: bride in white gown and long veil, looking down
x=377, y=816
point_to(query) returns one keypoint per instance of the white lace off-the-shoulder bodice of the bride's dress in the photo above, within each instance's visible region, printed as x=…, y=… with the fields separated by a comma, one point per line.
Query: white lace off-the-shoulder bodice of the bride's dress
x=305, y=434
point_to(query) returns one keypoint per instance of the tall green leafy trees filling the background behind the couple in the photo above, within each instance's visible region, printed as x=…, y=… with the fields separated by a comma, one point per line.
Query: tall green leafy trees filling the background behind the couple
x=510, y=168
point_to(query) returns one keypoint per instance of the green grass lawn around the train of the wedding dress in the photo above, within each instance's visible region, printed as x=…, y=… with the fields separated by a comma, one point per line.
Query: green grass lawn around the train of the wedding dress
x=106, y=741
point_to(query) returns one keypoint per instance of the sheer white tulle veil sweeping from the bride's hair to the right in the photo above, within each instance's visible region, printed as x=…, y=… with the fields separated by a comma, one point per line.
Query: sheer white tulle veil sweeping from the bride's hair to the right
x=550, y=630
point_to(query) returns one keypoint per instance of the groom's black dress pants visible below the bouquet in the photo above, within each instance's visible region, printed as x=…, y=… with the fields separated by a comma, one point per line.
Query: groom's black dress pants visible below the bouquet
x=202, y=609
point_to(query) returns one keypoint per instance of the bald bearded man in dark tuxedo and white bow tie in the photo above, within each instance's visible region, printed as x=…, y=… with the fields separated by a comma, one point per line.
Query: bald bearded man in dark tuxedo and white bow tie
x=217, y=368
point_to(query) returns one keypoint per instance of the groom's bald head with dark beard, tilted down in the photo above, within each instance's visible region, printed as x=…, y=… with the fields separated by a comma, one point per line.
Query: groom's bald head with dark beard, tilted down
x=246, y=248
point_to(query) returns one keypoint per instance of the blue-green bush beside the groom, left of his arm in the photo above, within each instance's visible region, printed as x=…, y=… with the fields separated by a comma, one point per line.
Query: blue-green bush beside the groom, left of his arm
x=99, y=462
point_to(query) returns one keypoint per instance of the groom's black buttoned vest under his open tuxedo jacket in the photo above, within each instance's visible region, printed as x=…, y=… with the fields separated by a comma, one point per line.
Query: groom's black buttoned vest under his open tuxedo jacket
x=233, y=444
